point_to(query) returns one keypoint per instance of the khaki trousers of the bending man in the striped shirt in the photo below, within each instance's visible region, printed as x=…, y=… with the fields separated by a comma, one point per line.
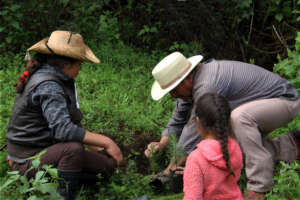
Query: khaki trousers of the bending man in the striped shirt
x=252, y=122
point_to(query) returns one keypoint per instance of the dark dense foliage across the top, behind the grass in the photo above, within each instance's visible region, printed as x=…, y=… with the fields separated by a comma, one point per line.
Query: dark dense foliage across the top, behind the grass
x=242, y=30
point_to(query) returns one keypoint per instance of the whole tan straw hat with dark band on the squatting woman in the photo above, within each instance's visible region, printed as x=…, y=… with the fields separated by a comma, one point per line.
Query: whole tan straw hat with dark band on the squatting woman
x=65, y=43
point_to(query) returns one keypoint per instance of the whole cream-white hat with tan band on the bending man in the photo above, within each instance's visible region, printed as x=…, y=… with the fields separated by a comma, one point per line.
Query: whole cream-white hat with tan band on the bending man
x=169, y=72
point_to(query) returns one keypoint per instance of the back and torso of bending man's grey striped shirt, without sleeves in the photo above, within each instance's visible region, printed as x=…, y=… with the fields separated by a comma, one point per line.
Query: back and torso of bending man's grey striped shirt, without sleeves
x=240, y=82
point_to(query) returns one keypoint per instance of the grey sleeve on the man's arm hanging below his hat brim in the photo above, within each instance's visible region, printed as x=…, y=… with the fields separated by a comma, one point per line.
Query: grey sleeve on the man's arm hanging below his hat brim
x=179, y=118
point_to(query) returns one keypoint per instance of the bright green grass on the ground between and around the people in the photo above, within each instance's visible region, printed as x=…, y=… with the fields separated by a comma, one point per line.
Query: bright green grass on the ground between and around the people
x=115, y=99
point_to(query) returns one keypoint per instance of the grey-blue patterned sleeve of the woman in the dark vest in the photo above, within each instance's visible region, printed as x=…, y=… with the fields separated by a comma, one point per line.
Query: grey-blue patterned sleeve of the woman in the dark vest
x=49, y=95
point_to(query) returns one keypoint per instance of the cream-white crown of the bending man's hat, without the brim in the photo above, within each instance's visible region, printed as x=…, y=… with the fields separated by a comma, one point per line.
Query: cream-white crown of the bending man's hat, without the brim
x=170, y=69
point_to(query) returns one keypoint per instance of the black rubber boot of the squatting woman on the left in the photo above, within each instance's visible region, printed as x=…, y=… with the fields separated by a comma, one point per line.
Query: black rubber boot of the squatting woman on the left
x=68, y=183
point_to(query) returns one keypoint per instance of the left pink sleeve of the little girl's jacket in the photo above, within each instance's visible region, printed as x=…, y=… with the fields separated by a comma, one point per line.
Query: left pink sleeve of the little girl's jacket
x=193, y=180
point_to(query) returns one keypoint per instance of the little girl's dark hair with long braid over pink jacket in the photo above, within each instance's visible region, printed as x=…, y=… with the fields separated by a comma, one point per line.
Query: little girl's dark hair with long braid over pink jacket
x=213, y=111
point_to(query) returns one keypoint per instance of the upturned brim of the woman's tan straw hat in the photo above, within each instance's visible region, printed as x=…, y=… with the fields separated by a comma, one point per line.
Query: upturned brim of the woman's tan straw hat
x=40, y=47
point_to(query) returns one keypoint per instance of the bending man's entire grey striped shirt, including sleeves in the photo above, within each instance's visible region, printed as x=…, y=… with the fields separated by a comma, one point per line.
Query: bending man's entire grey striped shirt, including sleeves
x=239, y=82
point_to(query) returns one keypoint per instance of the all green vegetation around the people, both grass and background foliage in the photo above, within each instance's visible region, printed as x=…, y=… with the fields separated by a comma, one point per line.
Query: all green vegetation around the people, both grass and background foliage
x=130, y=37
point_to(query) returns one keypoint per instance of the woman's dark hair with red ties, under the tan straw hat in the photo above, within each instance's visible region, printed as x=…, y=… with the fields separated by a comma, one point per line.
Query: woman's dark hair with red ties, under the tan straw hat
x=35, y=63
